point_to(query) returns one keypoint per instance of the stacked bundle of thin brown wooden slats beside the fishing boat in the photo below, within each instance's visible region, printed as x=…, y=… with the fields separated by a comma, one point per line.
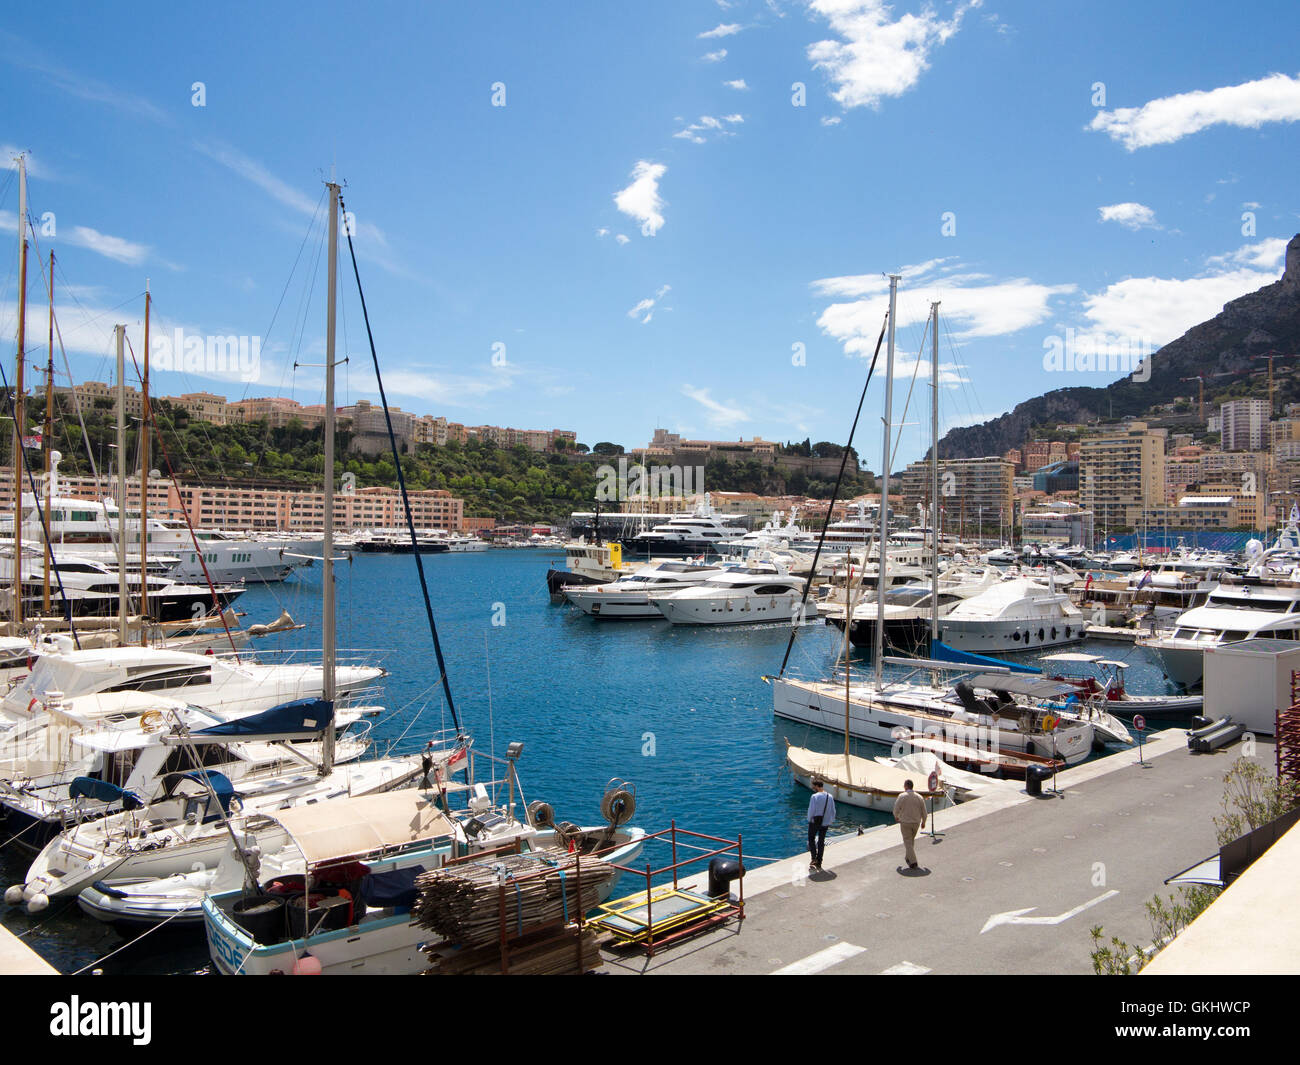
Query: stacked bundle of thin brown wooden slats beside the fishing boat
x=463, y=903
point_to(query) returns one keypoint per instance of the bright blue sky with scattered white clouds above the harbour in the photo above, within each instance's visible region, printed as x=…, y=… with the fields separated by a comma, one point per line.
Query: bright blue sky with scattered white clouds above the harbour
x=651, y=226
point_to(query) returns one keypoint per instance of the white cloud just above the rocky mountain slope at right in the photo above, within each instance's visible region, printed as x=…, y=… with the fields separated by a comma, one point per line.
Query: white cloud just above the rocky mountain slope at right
x=1159, y=310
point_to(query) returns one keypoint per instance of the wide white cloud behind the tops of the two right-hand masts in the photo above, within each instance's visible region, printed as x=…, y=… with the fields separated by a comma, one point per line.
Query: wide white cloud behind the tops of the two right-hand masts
x=973, y=304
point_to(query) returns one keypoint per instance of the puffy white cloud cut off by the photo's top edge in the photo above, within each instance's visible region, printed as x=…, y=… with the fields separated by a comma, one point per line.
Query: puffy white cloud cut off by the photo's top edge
x=878, y=58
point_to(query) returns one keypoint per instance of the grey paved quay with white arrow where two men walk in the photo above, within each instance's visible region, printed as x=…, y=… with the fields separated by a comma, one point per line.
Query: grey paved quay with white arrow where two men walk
x=1011, y=885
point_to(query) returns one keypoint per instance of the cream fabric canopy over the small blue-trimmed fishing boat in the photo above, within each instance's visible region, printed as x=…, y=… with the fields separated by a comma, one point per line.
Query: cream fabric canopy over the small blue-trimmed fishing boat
x=350, y=828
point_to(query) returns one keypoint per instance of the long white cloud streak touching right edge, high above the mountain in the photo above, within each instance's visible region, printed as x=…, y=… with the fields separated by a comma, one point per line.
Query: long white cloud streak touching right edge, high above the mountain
x=1250, y=106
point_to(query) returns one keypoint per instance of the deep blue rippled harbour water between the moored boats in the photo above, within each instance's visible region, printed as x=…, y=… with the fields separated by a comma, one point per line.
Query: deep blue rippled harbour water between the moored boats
x=682, y=713
